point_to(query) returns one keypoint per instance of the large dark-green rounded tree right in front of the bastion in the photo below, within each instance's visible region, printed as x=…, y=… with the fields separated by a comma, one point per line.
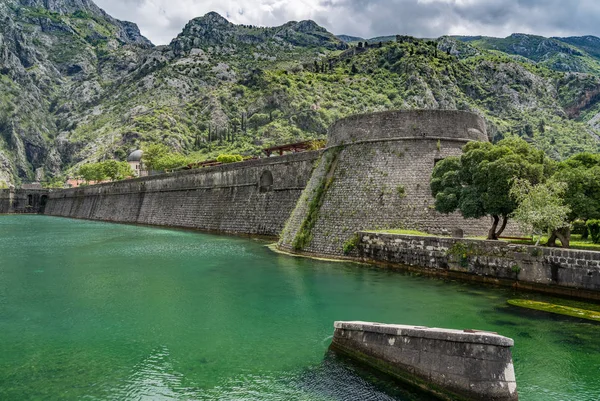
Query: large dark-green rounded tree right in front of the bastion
x=478, y=183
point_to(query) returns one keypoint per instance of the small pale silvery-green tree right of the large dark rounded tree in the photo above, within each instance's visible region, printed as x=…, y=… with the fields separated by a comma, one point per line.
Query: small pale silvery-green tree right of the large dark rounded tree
x=541, y=208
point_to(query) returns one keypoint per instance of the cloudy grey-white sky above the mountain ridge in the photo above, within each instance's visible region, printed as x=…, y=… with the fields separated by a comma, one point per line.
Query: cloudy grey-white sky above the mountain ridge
x=162, y=20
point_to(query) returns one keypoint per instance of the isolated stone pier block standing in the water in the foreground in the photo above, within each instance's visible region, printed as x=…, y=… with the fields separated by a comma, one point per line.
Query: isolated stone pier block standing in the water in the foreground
x=452, y=364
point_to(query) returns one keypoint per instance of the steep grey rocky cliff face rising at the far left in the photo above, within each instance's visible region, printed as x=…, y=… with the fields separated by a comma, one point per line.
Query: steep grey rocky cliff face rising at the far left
x=55, y=58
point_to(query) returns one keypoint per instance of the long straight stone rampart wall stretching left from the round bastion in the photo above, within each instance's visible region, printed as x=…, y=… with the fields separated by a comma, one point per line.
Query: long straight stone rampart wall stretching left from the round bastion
x=254, y=197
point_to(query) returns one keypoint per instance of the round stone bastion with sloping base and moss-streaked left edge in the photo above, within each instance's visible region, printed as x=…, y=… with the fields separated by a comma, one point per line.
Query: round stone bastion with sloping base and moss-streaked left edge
x=375, y=174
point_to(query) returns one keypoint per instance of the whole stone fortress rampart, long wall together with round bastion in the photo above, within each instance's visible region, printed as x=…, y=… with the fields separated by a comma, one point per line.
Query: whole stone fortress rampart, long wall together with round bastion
x=374, y=174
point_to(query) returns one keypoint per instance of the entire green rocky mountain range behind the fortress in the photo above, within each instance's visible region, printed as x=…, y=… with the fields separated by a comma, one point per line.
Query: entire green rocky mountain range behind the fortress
x=77, y=85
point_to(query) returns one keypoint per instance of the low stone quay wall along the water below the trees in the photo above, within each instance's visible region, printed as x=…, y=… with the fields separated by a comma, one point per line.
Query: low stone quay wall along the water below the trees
x=553, y=270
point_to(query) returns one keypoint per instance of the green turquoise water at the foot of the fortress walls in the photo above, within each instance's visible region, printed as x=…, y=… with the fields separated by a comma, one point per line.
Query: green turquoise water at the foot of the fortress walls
x=98, y=311
